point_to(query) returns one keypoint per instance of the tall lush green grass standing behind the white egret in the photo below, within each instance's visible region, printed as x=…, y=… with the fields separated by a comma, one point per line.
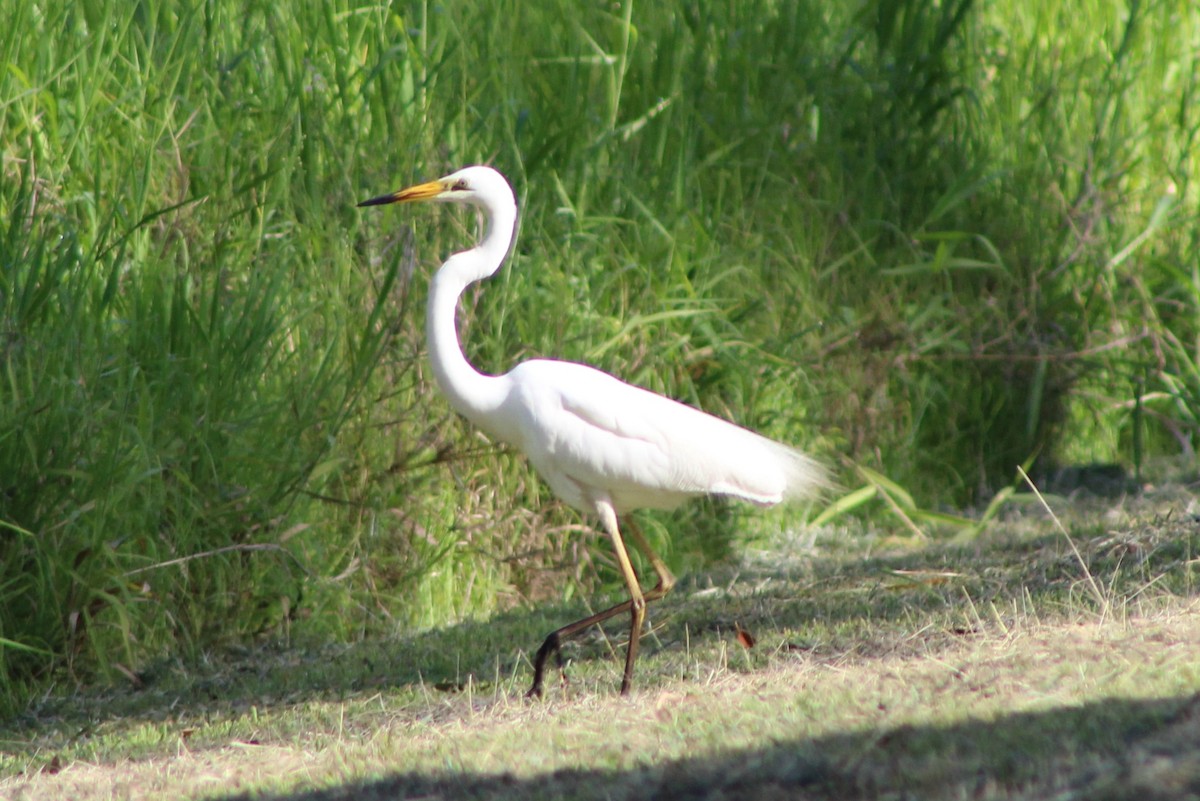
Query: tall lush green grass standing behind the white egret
x=934, y=240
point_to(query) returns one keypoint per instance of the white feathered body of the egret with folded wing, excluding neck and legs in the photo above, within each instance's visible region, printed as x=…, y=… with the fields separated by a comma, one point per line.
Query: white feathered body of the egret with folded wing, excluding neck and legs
x=644, y=449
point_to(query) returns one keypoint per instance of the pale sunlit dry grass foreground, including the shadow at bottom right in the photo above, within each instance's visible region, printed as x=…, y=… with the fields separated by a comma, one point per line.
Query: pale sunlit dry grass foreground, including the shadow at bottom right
x=1071, y=707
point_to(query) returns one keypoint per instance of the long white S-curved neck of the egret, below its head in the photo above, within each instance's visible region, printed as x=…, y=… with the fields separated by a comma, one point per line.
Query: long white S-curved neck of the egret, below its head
x=471, y=393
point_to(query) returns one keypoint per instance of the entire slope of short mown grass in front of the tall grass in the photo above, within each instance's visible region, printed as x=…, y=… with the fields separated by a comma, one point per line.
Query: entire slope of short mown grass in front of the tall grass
x=884, y=668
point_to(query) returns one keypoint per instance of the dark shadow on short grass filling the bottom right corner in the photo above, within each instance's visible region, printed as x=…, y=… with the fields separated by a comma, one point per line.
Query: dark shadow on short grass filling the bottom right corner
x=1106, y=750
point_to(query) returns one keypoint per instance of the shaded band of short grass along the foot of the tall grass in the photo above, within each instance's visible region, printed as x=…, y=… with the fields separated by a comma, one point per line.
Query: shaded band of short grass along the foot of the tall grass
x=832, y=606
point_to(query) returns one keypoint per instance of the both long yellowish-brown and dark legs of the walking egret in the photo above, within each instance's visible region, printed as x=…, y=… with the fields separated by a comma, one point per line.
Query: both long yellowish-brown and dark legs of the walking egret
x=667, y=581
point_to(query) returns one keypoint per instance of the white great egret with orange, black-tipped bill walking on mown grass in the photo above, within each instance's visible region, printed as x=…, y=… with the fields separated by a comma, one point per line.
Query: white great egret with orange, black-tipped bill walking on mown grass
x=604, y=447
